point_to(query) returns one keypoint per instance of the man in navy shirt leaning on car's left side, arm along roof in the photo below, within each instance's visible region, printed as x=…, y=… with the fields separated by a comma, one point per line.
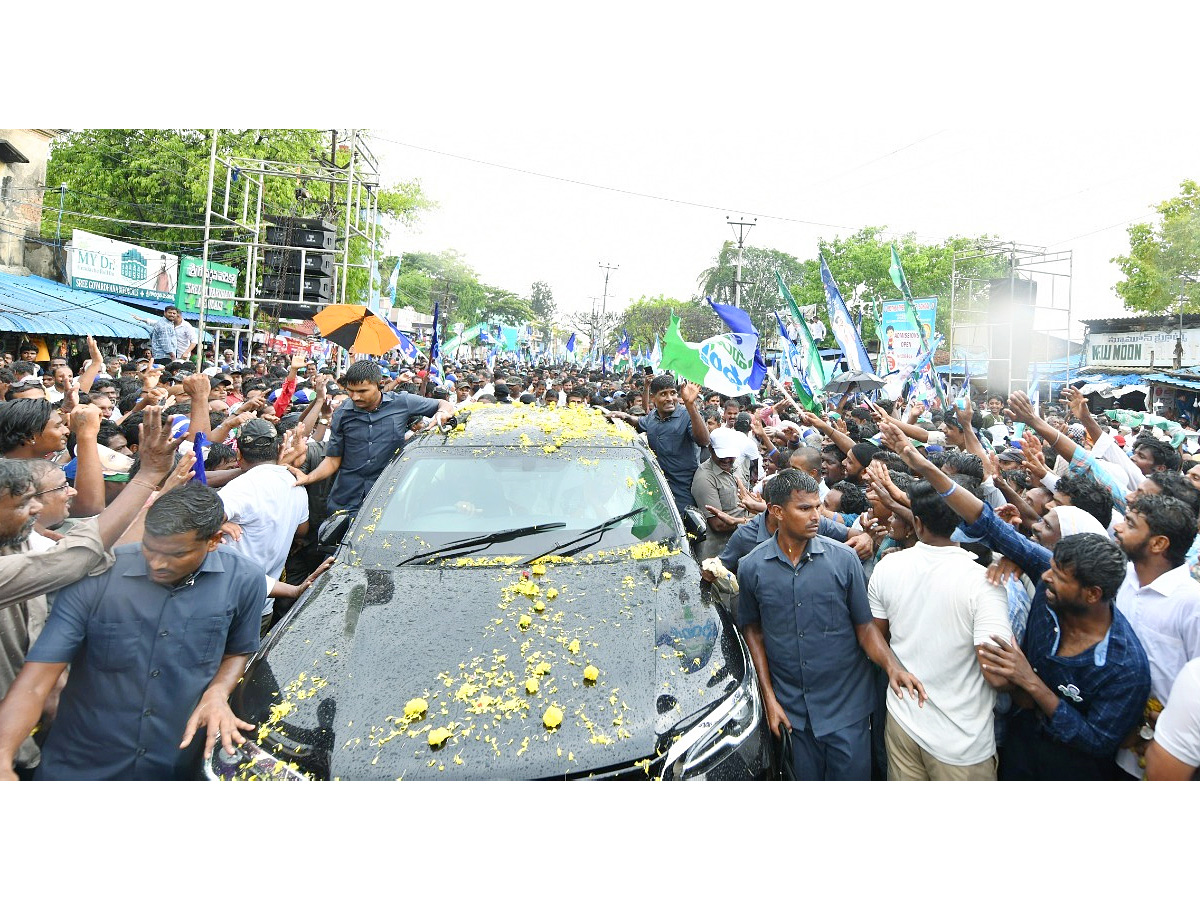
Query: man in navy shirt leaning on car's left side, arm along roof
x=367, y=434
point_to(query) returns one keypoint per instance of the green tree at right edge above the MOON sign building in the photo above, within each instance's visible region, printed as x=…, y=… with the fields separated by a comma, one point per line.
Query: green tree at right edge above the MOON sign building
x=1161, y=253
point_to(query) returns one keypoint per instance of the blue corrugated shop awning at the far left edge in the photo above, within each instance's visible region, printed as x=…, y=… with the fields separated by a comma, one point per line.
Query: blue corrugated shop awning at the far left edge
x=38, y=307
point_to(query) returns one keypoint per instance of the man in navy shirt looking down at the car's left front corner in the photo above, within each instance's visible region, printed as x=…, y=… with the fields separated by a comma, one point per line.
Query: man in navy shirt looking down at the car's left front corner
x=155, y=645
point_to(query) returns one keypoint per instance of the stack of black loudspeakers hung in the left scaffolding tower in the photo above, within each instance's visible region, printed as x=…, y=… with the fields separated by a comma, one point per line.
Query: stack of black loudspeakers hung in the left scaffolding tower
x=299, y=271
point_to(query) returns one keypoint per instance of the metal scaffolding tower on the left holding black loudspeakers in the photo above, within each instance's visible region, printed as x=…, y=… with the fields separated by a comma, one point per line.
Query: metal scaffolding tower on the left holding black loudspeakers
x=244, y=209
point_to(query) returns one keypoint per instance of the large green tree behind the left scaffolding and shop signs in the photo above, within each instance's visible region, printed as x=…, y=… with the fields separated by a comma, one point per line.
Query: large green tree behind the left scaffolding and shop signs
x=160, y=177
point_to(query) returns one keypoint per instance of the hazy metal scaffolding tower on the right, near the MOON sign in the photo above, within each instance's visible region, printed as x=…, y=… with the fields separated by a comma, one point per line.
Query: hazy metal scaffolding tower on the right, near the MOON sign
x=973, y=272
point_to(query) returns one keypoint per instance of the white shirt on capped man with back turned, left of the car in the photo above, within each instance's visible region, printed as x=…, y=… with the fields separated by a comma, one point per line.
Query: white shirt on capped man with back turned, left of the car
x=269, y=507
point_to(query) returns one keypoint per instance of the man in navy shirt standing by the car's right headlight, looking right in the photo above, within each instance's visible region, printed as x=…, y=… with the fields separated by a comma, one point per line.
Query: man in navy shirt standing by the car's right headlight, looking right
x=808, y=623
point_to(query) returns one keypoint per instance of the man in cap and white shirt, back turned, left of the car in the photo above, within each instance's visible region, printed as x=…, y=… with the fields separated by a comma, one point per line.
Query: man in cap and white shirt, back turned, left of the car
x=265, y=502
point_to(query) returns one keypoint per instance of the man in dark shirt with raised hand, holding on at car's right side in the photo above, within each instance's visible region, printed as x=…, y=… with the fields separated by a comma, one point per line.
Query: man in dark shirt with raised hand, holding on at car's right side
x=675, y=434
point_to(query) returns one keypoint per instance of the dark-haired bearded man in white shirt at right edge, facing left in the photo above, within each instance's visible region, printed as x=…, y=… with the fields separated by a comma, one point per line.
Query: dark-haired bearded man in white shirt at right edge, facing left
x=1160, y=598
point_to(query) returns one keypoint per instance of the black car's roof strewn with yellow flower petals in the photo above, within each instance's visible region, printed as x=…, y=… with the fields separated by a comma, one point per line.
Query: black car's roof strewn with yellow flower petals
x=533, y=427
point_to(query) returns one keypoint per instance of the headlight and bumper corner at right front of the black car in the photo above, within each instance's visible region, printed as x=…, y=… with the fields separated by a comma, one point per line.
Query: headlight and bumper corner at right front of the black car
x=729, y=742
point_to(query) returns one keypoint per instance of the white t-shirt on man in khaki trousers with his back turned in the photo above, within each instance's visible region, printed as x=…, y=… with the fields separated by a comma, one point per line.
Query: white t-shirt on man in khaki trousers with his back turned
x=940, y=608
